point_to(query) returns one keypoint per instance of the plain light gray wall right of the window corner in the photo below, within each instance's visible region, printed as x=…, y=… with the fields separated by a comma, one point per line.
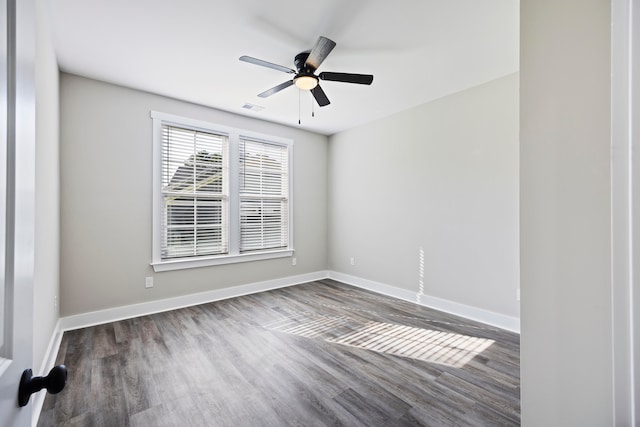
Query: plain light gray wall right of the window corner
x=441, y=178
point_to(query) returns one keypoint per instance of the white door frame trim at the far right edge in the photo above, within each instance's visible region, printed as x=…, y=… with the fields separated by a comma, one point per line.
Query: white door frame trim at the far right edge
x=625, y=206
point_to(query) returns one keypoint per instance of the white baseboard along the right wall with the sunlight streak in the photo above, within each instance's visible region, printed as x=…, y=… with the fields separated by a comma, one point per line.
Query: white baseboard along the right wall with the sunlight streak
x=473, y=313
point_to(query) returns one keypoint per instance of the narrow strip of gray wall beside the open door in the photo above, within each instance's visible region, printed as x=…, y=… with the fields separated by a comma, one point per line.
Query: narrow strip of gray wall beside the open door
x=47, y=193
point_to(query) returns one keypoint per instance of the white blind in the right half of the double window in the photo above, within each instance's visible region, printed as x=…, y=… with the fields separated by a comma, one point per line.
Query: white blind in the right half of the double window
x=264, y=195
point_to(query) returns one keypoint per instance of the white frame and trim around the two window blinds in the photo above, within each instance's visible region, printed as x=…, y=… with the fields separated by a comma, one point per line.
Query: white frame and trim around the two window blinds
x=235, y=136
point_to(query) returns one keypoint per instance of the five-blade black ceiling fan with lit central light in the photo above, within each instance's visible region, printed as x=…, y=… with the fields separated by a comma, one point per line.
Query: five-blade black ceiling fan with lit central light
x=306, y=64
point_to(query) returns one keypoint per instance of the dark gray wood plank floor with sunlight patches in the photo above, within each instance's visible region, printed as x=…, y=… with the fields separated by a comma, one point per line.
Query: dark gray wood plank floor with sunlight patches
x=321, y=353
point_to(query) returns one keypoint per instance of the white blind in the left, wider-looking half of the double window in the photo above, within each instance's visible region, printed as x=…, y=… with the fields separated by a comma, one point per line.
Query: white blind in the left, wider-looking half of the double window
x=195, y=193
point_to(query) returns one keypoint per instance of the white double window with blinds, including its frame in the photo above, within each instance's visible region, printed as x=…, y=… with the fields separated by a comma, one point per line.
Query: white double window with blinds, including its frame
x=221, y=195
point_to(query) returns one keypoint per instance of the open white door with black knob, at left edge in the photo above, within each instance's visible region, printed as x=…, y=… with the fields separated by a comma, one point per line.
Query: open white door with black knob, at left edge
x=17, y=198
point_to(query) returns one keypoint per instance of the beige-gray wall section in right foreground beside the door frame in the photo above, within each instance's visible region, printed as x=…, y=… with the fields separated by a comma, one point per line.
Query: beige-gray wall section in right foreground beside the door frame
x=566, y=355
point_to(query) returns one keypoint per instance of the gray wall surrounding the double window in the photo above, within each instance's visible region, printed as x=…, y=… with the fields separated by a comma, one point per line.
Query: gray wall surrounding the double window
x=106, y=193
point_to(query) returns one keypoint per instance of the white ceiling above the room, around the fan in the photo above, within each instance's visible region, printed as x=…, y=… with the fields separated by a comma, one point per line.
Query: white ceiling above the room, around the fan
x=418, y=50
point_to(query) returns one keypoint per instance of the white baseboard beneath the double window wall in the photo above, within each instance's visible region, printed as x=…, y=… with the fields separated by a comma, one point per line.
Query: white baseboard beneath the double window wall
x=135, y=310
